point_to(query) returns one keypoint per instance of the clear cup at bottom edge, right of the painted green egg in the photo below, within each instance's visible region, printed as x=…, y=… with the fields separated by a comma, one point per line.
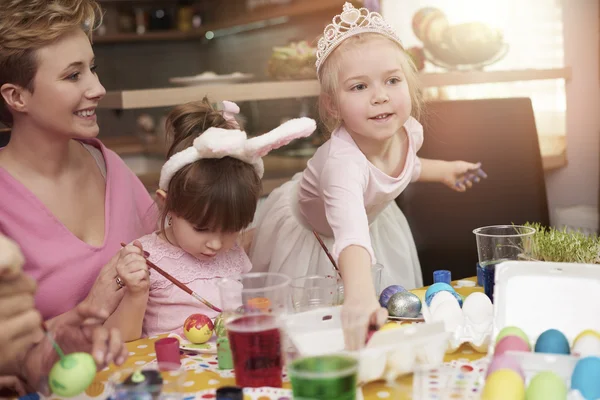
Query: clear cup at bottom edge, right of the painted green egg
x=148, y=382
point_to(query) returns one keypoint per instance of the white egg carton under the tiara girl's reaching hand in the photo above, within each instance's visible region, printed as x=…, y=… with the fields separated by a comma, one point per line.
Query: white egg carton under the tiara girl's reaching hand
x=388, y=354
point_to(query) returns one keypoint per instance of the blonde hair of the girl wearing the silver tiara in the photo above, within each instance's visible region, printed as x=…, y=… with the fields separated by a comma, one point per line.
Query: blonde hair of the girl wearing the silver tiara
x=329, y=75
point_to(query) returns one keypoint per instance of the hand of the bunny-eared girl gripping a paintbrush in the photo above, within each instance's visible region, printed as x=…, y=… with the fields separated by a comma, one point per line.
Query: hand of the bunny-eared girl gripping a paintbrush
x=132, y=269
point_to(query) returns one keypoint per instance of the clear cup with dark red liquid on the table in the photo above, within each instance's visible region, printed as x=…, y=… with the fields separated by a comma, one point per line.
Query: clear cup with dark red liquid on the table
x=253, y=305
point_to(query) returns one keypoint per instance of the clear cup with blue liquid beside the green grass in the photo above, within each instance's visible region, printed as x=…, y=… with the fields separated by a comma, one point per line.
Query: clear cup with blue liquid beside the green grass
x=499, y=243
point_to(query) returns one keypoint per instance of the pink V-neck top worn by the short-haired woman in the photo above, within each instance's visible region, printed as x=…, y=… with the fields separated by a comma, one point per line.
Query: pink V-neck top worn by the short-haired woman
x=64, y=266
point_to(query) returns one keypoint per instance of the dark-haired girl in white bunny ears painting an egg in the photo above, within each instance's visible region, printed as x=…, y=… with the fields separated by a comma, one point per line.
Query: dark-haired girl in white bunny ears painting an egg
x=209, y=188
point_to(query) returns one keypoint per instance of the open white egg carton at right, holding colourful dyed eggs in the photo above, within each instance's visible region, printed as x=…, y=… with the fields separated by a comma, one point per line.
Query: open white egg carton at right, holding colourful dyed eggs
x=536, y=296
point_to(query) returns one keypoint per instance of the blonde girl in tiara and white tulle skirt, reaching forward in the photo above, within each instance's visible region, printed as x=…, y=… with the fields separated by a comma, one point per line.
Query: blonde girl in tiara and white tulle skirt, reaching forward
x=370, y=101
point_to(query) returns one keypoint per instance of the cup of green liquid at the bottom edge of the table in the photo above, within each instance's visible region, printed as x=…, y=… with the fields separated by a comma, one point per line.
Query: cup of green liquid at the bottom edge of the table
x=326, y=377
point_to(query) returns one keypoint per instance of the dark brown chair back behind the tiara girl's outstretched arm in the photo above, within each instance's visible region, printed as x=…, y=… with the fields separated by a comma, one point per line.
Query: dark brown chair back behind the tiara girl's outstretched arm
x=501, y=133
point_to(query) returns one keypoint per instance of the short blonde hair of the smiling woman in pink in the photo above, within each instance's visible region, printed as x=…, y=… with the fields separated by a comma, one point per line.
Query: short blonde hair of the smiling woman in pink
x=28, y=25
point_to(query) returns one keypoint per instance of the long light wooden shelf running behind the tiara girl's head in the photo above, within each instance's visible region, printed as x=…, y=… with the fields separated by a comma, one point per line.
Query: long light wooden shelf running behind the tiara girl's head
x=277, y=90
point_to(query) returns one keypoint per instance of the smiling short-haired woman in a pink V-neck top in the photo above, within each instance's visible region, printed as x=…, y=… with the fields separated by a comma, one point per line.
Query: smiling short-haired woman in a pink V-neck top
x=66, y=200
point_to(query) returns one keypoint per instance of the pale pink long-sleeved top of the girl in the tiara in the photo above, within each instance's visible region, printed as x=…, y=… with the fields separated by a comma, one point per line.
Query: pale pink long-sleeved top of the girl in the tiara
x=341, y=192
